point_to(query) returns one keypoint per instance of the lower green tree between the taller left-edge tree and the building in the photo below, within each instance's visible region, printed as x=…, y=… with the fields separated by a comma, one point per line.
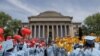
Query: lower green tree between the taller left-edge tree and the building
x=12, y=27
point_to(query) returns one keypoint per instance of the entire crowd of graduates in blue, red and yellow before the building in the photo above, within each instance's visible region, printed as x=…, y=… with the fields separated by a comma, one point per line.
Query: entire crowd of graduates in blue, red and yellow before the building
x=23, y=45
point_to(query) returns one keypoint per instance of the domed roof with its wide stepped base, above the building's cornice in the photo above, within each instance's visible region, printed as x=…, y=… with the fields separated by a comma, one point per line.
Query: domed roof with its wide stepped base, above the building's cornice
x=50, y=14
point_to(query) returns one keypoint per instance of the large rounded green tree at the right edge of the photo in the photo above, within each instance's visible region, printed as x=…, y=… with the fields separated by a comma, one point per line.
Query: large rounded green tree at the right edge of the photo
x=93, y=23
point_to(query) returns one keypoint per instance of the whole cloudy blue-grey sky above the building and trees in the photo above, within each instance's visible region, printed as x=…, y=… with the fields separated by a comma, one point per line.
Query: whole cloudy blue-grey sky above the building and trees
x=21, y=9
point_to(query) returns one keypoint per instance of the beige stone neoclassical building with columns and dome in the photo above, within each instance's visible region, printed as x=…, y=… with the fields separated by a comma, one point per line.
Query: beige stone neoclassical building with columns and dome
x=52, y=24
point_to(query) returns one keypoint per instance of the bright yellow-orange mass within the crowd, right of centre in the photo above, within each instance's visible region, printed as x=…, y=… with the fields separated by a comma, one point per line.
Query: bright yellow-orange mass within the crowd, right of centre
x=68, y=42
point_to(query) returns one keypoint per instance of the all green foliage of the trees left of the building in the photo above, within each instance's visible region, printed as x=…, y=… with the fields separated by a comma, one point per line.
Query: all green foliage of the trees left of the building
x=10, y=25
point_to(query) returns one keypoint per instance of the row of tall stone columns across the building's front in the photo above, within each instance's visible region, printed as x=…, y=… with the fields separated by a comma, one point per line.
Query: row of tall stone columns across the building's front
x=70, y=31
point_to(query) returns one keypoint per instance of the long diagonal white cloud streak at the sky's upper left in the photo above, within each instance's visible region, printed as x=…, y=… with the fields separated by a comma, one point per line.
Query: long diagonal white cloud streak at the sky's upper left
x=23, y=6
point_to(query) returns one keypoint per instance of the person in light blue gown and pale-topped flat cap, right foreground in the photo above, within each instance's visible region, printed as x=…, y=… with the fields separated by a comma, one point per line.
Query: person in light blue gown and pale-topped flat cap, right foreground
x=90, y=49
